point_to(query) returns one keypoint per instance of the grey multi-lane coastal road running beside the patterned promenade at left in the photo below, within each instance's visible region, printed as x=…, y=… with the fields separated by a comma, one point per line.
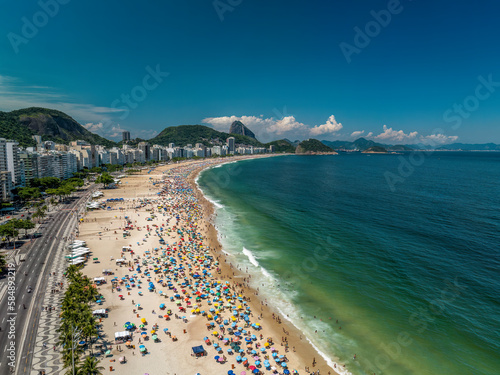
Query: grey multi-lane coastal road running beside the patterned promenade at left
x=34, y=272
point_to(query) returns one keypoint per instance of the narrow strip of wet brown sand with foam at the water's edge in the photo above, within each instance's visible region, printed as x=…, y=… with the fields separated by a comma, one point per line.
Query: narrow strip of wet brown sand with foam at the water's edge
x=306, y=348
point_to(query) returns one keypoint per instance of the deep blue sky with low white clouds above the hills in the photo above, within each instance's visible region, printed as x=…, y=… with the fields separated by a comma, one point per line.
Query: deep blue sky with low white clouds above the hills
x=393, y=71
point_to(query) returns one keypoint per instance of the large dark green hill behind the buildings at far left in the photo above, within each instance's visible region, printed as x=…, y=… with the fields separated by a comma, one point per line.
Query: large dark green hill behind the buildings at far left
x=52, y=125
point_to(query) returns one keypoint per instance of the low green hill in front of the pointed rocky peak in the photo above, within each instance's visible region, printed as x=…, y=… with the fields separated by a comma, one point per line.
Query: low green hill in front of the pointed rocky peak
x=191, y=134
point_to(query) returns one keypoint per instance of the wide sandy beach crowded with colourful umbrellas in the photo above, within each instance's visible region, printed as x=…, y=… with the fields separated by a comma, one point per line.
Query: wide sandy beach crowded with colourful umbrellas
x=175, y=280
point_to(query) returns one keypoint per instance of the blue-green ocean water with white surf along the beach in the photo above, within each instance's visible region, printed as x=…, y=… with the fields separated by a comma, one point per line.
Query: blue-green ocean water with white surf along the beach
x=411, y=273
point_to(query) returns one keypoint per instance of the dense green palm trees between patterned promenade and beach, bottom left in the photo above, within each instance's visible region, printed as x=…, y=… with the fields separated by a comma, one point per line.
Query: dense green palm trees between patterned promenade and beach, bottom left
x=78, y=324
